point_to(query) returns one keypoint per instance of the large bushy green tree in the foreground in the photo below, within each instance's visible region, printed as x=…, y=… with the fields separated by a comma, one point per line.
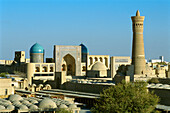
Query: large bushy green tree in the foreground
x=126, y=98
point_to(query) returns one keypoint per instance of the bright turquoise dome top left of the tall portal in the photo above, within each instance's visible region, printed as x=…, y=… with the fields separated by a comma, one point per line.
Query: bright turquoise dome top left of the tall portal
x=37, y=48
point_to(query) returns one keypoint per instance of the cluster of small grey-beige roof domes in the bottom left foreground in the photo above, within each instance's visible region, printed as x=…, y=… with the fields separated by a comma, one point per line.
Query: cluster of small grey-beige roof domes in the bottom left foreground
x=33, y=104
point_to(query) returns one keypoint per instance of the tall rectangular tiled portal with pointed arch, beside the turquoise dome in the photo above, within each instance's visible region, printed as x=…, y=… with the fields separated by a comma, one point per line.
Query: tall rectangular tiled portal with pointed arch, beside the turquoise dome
x=68, y=59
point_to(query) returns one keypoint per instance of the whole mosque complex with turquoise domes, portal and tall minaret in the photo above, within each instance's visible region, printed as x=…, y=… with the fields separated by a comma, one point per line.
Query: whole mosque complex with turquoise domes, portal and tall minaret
x=75, y=62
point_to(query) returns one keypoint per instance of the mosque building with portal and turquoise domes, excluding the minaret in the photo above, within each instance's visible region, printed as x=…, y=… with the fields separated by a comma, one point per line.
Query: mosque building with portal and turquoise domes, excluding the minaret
x=69, y=61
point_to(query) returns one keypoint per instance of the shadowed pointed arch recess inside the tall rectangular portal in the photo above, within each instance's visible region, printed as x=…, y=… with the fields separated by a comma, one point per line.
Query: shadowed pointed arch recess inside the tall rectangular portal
x=70, y=64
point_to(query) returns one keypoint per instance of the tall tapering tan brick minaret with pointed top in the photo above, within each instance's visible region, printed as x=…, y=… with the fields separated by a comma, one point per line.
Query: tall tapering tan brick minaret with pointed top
x=138, y=54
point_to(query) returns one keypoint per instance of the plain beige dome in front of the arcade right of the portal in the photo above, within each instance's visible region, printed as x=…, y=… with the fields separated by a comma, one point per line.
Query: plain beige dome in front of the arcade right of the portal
x=98, y=66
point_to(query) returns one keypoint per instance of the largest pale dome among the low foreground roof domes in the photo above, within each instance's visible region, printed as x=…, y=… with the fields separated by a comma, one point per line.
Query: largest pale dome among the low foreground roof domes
x=47, y=103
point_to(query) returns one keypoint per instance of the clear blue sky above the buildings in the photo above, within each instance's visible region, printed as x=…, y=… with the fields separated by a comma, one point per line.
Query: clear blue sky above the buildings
x=104, y=26
